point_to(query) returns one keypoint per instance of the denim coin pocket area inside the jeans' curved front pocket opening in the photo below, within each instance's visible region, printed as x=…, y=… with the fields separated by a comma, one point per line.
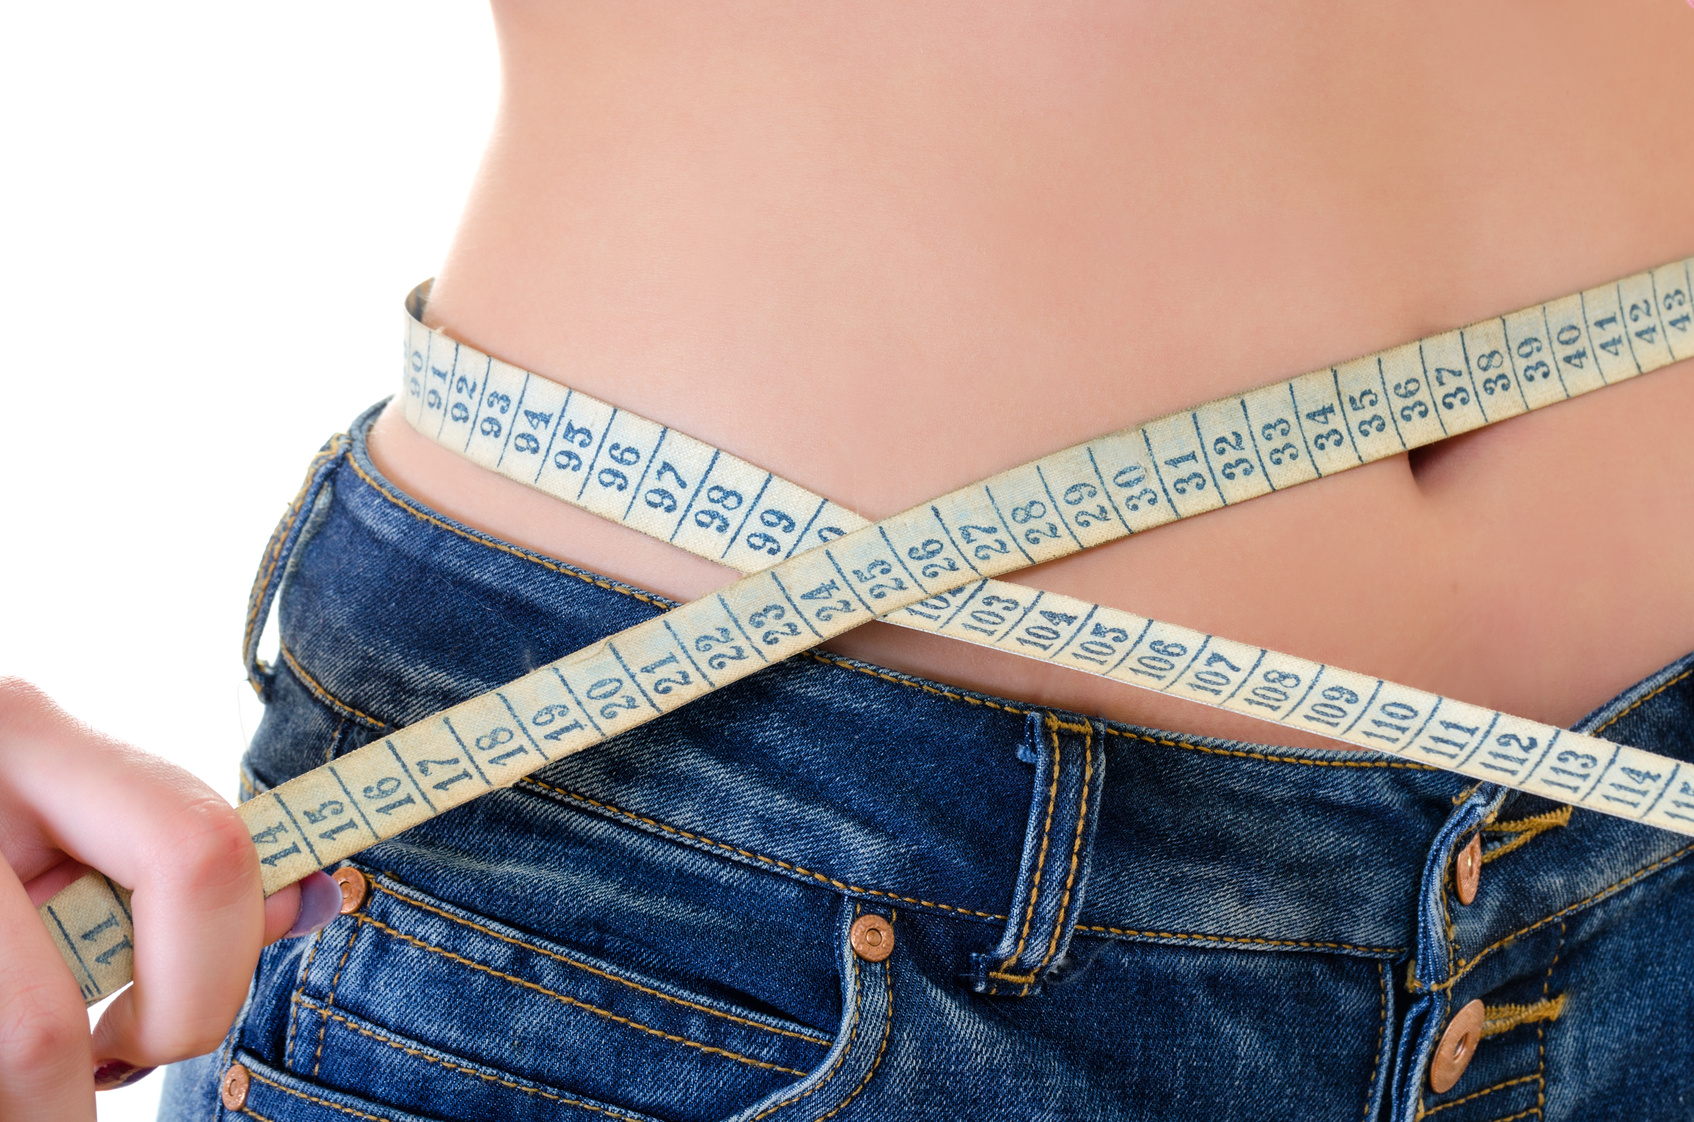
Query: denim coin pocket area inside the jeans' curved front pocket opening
x=448, y=1014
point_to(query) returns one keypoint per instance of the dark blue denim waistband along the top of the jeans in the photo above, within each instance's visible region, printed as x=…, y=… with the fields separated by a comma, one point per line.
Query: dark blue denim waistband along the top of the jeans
x=1034, y=825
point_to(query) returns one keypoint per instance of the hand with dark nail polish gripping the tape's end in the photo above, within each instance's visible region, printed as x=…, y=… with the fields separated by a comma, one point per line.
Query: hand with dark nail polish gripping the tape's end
x=72, y=799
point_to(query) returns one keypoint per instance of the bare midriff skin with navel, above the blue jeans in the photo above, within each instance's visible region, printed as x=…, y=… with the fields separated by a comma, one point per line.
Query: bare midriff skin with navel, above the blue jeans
x=889, y=250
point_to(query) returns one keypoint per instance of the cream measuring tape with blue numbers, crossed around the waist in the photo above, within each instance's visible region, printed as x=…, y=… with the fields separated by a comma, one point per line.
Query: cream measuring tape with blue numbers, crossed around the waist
x=817, y=570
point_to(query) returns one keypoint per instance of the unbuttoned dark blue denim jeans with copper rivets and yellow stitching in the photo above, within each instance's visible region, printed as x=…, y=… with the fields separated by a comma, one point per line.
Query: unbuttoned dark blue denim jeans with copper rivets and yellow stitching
x=1090, y=921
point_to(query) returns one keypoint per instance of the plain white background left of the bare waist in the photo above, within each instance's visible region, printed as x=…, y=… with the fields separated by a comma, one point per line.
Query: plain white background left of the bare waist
x=209, y=216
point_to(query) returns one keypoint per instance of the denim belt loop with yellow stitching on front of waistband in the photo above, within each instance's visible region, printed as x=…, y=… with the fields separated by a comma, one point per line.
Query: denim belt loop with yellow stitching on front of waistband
x=1058, y=850
